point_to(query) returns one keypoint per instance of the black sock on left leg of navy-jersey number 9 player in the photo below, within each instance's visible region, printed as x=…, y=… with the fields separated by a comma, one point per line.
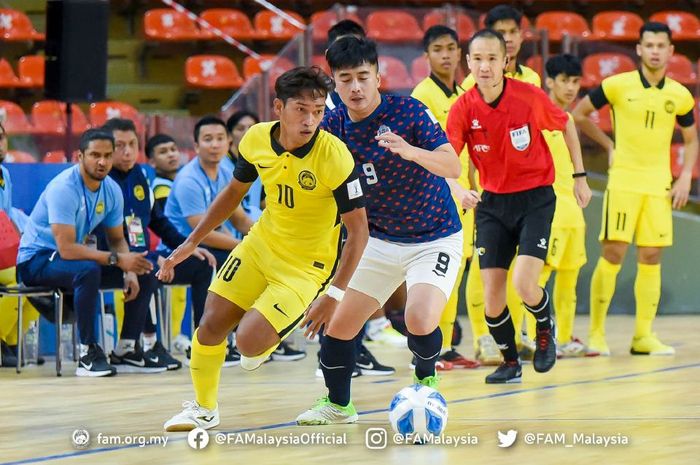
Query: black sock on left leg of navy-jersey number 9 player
x=338, y=363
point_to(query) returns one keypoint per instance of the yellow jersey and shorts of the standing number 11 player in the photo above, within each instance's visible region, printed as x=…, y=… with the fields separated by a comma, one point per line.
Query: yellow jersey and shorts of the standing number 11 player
x=636, y=201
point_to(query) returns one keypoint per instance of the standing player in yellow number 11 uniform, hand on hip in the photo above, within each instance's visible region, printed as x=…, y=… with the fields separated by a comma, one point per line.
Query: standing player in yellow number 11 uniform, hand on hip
x=646, y=105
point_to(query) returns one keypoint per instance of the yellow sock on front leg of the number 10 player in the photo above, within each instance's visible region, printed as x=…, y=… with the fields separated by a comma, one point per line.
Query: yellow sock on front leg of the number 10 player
x=205, y=369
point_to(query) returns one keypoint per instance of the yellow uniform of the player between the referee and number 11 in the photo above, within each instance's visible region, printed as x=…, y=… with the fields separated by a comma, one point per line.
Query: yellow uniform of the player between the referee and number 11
x=567, y=240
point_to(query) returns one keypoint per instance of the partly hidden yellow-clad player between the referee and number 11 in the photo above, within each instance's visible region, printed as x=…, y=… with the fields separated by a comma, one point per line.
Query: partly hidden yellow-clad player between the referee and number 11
x=567, y=240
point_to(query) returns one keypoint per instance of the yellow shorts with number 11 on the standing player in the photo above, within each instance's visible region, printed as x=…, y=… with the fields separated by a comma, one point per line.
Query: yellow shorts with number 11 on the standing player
x=628, y=215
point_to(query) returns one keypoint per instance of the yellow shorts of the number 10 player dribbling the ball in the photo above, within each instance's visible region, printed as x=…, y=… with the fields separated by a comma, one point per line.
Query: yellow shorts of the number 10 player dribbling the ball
x=253, y=276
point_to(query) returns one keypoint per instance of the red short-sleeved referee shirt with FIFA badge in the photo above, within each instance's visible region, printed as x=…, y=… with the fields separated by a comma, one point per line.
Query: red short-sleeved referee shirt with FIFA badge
x=506, y=143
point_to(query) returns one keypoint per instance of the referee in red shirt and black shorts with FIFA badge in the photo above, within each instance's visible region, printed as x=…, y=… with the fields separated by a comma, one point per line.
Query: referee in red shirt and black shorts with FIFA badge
x=501, y=121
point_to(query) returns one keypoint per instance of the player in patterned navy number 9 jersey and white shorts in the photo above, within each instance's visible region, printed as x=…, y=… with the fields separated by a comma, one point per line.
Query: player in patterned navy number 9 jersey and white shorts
x=403, y=157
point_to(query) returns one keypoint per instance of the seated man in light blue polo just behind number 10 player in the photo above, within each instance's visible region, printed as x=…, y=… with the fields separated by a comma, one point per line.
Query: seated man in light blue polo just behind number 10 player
x=197, y=184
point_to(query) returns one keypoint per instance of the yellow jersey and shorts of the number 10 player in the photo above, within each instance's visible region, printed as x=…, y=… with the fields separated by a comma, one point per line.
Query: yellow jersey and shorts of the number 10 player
x=291, y=252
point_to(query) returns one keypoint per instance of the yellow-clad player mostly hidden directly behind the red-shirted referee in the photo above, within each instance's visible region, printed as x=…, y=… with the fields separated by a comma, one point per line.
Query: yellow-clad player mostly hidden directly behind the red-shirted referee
x=506, y=20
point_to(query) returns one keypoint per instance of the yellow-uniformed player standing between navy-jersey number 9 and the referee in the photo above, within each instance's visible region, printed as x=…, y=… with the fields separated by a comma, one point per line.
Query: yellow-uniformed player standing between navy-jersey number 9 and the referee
x=438, y=92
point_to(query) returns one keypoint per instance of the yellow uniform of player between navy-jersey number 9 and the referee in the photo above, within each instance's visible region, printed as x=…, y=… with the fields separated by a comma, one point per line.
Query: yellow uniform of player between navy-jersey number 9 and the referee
x=439, y=98
